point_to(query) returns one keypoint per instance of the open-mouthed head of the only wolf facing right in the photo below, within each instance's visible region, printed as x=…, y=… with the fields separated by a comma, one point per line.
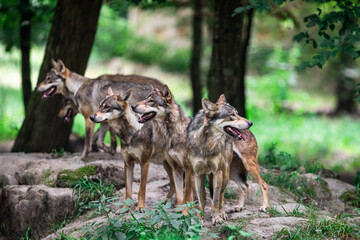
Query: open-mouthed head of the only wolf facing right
x=223, y=117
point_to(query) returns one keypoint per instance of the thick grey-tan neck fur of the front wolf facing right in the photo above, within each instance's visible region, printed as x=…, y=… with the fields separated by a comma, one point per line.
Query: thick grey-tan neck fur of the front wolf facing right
x=204, y=139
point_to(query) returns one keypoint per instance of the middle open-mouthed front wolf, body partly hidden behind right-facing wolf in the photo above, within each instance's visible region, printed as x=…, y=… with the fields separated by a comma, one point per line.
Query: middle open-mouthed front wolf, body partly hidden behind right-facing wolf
x=169, y=122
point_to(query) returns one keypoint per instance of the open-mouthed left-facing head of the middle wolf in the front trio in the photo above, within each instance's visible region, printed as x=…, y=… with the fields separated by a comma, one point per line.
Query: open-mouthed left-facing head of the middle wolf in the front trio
x=155, y=105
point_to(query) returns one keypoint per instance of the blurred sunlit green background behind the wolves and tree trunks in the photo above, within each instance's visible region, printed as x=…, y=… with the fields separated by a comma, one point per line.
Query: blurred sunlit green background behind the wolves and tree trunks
x=299, y=116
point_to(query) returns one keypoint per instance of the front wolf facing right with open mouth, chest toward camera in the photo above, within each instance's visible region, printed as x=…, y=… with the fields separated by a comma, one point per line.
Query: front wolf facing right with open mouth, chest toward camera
x=210, y=151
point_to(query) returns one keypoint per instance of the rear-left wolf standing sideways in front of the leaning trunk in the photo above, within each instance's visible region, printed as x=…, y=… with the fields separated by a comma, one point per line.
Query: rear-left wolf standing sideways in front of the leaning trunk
x=87, y=93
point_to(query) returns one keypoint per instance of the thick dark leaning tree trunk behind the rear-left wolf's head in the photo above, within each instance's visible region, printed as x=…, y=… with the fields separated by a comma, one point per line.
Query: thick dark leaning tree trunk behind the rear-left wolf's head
x=71, y=39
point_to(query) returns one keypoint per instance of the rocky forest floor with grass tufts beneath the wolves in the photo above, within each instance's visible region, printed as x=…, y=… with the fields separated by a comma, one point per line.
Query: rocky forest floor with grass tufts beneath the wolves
x=24, y=176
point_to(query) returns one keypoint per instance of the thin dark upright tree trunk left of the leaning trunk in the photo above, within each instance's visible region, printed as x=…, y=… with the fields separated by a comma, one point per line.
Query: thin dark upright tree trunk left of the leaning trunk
x=25, y=41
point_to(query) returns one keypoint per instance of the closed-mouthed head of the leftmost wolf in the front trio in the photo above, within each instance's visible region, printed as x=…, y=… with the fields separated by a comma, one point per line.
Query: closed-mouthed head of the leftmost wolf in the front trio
x=112, y=107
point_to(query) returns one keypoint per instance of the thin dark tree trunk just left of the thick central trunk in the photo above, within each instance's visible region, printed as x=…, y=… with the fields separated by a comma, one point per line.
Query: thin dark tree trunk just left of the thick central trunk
x=195, y=72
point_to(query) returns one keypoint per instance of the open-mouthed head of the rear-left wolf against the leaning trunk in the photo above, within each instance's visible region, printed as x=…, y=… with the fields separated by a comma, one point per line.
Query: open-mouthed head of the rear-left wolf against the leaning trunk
x=54, y=82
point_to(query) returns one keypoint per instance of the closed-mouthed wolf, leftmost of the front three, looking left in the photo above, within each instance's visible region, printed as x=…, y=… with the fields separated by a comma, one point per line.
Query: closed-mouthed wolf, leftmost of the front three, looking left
x=137, y=144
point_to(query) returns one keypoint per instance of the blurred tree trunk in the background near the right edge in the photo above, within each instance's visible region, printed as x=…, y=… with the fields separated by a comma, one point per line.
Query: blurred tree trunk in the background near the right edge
x=345, y=84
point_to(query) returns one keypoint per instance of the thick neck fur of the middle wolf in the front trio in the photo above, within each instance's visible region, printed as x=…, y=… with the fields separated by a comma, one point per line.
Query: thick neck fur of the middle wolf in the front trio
x=172, y=127
